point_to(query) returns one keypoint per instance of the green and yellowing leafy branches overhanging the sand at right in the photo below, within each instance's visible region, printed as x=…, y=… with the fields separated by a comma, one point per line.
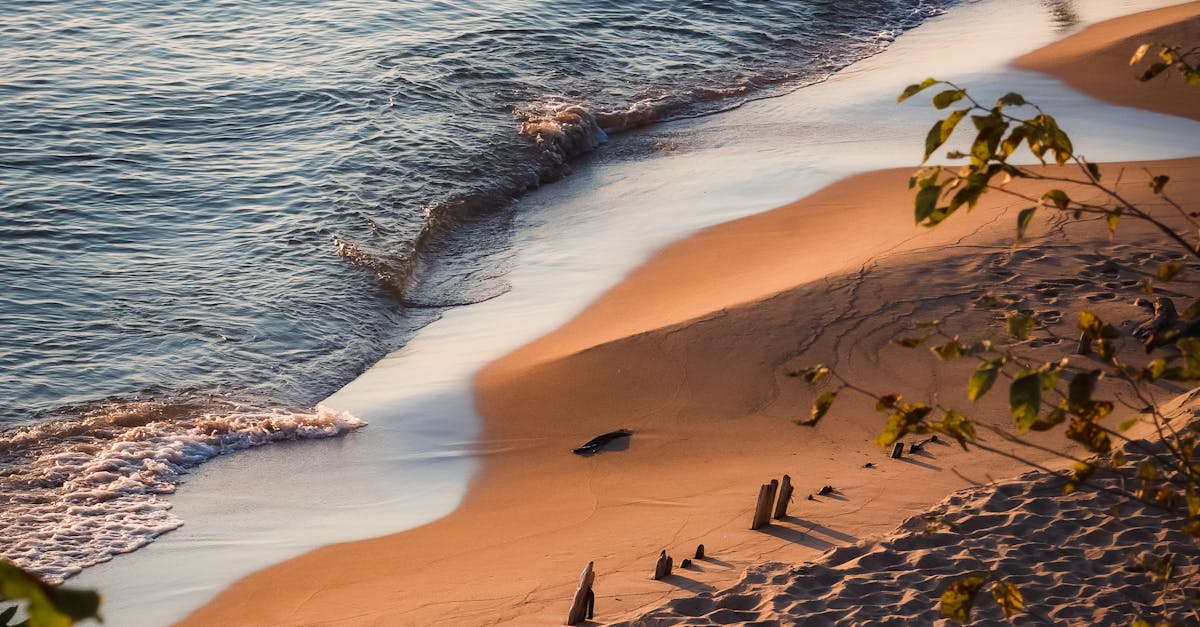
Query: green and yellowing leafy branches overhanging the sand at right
x=1046, y=396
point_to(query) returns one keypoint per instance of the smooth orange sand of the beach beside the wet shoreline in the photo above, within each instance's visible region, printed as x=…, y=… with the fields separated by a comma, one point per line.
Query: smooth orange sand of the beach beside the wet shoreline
x=693, y=353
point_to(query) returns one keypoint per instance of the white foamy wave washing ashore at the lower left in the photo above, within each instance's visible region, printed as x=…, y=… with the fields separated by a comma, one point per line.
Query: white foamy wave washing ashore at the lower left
x=76, y=493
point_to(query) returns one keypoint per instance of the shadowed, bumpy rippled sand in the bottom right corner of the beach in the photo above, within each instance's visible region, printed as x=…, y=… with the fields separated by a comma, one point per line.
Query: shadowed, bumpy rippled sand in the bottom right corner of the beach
x=1075, y=562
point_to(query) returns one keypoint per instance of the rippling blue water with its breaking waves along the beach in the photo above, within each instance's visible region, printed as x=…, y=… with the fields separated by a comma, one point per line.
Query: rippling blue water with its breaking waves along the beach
x=218, y=213
